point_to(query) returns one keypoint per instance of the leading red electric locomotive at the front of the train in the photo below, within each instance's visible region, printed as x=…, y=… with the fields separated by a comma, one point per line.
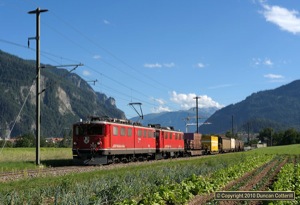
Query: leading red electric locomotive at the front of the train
x=107, y=140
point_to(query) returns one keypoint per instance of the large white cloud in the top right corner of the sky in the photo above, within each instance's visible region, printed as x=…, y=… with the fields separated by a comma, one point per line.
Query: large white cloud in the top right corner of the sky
x=287, y=20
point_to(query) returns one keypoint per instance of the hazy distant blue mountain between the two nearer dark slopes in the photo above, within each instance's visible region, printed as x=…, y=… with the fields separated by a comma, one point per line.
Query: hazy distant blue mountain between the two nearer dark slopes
x=178, y=119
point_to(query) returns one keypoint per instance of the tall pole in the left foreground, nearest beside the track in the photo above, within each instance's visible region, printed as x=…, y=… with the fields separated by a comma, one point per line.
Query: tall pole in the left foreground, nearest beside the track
x=38, y=73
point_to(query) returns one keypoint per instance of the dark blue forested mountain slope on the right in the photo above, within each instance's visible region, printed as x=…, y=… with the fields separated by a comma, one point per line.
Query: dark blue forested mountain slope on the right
x=278, y=108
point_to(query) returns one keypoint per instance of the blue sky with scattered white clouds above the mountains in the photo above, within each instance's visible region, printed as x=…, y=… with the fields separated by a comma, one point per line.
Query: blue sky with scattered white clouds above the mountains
x=162, y=54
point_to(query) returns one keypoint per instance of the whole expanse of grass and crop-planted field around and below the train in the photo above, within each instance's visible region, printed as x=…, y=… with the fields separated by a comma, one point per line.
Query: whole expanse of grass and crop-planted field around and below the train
x=174, y=181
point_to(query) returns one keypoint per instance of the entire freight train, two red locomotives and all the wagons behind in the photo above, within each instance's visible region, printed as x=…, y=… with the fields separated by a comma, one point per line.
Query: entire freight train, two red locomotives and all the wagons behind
x=103, y=140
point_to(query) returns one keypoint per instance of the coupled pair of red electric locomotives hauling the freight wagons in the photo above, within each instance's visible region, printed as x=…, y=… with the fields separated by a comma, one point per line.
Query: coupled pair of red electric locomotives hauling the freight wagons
x=109, y=140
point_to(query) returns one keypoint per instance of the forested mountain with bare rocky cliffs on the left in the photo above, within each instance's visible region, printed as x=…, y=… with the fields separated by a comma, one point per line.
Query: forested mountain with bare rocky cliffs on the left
x=65, y=99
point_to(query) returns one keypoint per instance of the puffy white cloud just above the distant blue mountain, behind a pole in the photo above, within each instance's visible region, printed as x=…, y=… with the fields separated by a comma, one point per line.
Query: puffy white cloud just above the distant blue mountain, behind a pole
x=187, y=101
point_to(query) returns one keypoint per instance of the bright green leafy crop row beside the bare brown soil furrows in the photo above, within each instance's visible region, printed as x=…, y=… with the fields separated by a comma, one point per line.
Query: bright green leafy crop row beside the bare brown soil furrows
x=180, y=193
